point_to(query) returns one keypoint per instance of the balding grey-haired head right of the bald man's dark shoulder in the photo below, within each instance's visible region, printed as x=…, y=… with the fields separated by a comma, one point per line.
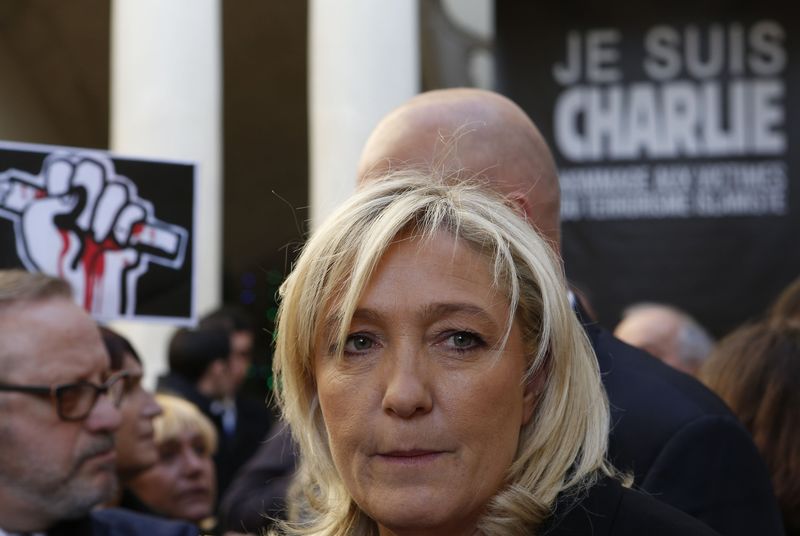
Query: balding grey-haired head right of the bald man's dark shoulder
x=667, y=333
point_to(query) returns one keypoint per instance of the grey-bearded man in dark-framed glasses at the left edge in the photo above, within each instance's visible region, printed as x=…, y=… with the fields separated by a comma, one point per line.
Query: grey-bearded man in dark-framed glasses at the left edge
x=58, y=414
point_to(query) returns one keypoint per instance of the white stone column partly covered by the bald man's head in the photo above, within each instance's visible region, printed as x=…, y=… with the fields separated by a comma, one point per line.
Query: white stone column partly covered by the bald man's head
x=363, y=62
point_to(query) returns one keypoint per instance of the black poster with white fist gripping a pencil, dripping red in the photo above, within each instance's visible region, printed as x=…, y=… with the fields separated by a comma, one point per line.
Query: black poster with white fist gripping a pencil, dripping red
x=119, y=230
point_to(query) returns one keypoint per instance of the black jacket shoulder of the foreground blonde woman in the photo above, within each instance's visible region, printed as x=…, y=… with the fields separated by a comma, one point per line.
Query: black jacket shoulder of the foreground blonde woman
x=611, y=510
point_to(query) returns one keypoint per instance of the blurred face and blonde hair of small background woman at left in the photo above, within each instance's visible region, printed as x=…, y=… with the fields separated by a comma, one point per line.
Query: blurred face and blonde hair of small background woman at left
x=181, y=484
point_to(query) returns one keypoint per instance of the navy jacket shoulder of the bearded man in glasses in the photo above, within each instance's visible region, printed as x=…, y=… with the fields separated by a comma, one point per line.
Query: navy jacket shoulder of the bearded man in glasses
x=119, y=522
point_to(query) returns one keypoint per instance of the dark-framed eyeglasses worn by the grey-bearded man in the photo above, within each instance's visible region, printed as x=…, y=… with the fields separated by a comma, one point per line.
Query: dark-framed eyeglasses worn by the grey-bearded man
x=74, y=401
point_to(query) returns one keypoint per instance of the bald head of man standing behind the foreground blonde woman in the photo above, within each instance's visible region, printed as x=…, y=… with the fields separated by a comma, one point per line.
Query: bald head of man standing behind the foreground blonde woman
x=474, y=133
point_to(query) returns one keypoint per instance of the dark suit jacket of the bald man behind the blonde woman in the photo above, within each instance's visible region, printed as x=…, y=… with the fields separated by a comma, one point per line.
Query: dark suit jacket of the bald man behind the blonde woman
x=680, y=441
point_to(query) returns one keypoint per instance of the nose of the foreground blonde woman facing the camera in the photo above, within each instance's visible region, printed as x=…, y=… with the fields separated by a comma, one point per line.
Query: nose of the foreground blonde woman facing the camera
x=407, y=390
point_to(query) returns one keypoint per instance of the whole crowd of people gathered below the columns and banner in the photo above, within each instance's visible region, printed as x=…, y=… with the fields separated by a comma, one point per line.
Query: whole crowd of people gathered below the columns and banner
x=435, y=375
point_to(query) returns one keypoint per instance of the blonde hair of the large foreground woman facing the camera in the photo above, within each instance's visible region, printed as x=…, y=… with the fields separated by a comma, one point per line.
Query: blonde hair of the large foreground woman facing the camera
x=560, y=450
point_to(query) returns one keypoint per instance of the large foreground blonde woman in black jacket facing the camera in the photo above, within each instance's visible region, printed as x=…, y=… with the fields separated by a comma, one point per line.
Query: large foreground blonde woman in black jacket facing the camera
x=437, y=380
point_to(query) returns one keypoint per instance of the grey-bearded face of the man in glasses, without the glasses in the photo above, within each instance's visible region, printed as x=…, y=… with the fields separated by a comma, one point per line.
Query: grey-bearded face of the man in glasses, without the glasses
x=51, y=469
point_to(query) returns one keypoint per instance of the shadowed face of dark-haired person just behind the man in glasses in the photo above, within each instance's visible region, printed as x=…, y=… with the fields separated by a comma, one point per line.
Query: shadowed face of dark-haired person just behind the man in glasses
x=136, y=446
